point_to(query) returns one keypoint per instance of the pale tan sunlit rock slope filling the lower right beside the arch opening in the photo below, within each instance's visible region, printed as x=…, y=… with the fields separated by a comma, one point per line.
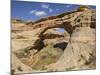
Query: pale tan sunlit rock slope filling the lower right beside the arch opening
x=79, y=53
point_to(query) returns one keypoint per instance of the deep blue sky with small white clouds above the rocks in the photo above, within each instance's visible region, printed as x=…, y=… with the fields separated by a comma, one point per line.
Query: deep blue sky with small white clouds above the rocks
x=36, y=10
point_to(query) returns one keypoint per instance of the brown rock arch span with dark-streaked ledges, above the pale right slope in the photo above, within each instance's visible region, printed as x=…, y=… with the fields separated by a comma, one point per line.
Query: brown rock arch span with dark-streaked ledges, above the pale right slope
x=69, y=21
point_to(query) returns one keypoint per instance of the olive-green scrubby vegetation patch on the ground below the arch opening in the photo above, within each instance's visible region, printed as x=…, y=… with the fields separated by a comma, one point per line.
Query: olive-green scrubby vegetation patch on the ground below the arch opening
x=47, y=56
